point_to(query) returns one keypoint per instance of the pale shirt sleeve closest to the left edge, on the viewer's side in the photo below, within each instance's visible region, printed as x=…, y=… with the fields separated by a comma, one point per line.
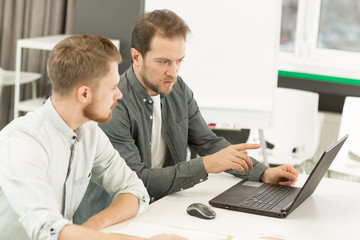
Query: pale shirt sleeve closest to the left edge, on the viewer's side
x=24, y=183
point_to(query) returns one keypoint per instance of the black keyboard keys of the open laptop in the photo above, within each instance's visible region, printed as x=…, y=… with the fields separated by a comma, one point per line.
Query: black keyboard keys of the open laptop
x=267, y=197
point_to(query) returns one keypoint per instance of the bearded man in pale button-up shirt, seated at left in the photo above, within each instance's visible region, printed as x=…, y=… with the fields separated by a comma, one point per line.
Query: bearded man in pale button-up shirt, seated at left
x=48, y=157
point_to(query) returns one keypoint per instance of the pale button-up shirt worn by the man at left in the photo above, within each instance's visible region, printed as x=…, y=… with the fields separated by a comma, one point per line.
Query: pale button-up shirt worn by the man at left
x=45, y=168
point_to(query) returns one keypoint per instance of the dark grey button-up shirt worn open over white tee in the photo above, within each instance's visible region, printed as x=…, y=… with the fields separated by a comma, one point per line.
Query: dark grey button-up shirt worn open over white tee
x=182, y=126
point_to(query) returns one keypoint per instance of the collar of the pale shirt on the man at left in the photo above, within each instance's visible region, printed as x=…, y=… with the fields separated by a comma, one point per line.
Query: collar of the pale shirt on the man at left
x=59, y=123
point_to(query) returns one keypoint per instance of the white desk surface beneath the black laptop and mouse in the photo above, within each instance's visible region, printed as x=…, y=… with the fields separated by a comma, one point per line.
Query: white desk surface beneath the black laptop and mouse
x=332, y=212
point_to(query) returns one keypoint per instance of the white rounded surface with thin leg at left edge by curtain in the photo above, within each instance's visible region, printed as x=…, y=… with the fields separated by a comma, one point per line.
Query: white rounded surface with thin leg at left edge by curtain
x=7, y=78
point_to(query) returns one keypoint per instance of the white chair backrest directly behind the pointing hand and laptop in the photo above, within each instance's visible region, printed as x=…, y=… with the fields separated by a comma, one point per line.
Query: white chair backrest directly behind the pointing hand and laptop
x=294, y=130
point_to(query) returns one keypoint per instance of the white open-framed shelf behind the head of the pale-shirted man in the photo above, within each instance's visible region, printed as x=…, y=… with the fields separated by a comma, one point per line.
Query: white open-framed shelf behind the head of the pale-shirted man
x=40, y=43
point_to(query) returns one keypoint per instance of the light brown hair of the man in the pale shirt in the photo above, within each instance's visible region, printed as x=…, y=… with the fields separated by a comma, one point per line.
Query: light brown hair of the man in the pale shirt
x=80, y=59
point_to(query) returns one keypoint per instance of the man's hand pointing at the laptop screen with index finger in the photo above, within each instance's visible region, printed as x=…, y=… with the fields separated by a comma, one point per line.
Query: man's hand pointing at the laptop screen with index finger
x=233, y=157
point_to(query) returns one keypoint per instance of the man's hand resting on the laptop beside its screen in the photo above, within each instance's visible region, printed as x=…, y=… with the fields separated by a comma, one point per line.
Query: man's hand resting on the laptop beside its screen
x=283, y=175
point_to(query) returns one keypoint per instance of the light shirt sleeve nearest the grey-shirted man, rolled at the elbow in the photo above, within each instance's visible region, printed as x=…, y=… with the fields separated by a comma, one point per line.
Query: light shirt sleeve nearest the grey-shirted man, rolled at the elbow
x=112, y=173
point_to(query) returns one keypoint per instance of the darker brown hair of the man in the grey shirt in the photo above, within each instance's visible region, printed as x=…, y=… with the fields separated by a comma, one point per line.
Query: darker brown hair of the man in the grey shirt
x=163, y=22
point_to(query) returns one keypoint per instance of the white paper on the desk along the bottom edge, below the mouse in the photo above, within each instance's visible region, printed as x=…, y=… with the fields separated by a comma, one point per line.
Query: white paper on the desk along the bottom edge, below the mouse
x=147, y=230
